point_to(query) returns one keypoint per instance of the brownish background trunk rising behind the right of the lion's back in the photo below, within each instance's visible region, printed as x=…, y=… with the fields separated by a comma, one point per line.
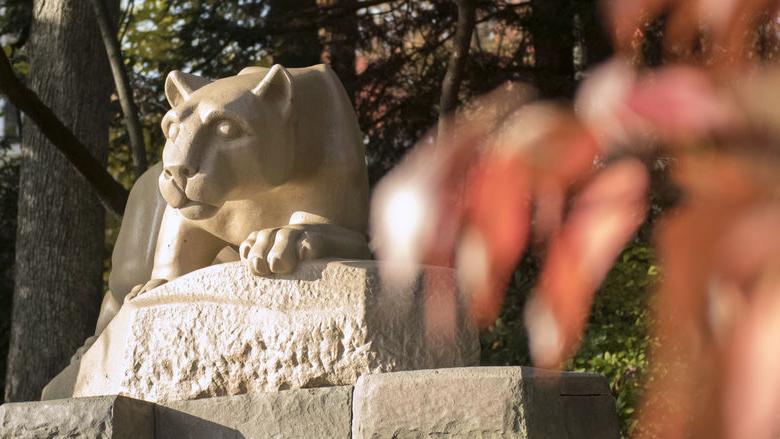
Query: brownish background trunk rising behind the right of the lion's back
x=341, y=37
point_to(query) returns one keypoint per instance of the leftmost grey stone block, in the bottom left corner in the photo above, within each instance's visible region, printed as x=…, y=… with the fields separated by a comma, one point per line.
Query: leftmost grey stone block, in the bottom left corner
x=99, y=417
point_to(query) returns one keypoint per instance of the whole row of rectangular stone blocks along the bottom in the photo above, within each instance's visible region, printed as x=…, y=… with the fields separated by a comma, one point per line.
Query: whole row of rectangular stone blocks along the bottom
x=500, y=402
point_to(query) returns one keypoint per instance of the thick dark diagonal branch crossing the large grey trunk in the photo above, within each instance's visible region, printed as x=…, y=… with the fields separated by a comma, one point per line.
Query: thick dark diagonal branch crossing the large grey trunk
x=111, y=194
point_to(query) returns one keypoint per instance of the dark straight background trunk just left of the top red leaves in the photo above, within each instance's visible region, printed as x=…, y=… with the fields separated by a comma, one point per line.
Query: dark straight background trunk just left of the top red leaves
x=552, y=28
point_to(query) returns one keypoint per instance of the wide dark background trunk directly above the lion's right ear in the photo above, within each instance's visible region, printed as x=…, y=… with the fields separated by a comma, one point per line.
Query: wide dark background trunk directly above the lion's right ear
x=301, y=48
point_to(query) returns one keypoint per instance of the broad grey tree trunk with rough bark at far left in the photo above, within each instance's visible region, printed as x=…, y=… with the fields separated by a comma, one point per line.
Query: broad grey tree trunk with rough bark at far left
x=59, y=245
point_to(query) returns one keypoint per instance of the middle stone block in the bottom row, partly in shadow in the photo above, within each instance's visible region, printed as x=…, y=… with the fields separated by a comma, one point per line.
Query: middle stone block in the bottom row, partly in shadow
x=299, y=413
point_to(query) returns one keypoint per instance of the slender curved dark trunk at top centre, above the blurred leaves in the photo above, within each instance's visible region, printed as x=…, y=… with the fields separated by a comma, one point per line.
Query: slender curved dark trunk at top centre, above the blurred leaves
x=455, y=67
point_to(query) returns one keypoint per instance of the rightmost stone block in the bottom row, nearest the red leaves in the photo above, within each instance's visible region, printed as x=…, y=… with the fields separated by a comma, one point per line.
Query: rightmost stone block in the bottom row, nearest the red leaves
x=484, y=402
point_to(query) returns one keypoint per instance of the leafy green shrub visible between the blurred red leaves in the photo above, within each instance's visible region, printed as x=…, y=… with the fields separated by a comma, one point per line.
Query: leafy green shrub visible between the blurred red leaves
x=617, y=337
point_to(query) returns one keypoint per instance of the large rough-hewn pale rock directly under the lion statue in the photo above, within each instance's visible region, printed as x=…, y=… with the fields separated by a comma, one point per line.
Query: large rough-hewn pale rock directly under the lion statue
x=224, y=331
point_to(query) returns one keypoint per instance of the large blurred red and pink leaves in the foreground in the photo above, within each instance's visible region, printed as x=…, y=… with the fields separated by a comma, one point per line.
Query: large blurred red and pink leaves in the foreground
x=527, y=178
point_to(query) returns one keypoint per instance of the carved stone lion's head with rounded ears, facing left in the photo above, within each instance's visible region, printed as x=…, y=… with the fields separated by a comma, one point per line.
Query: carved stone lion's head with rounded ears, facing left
x=226, y=139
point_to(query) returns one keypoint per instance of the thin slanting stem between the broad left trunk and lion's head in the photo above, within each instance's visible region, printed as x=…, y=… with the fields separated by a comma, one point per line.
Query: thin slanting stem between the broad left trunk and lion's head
x=122, y=83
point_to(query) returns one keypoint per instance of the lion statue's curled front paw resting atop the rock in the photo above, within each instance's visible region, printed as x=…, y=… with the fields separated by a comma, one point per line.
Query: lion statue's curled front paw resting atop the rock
x=278, y=250
